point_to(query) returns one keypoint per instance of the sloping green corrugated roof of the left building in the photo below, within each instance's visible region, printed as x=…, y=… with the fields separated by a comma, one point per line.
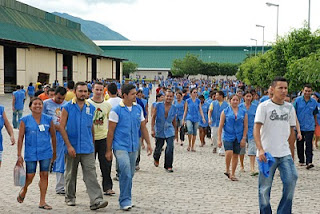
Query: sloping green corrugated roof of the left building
x=28, y=25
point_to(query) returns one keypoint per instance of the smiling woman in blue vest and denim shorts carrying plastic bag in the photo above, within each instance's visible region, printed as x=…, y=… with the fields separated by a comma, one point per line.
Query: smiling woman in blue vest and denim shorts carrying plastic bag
x=39, y=134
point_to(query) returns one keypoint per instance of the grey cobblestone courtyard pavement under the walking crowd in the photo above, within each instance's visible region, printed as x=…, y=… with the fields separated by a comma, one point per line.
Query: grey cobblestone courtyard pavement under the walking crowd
x=197, y=185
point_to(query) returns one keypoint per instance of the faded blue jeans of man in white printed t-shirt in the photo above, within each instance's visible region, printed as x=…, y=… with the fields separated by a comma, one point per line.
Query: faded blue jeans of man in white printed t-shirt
x=289, y=176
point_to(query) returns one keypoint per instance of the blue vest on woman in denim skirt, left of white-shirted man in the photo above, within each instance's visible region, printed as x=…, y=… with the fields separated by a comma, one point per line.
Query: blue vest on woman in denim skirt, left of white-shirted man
x=233, y=128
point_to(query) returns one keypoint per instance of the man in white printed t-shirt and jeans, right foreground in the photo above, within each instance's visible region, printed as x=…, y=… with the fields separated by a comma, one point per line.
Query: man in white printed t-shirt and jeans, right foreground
x=273, y=129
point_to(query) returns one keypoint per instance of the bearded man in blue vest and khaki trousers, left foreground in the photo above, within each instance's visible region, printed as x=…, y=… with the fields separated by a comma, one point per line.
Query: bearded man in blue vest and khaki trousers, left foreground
x=76, y=128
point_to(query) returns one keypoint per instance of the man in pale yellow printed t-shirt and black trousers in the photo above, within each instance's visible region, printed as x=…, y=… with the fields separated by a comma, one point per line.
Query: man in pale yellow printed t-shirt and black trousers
x=100, y=124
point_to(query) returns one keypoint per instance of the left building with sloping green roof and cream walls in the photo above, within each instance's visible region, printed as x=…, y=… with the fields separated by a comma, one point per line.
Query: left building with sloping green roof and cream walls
x=36, y=45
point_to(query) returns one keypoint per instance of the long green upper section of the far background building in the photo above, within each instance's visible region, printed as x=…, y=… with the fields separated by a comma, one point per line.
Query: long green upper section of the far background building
x=163, y=56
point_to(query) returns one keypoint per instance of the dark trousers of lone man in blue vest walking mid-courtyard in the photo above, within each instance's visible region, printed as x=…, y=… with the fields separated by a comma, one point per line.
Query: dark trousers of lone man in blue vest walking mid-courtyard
x=168, y=153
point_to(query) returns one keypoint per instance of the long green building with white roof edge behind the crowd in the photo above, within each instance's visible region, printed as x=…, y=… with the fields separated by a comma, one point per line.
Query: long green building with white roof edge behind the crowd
x=156, y=58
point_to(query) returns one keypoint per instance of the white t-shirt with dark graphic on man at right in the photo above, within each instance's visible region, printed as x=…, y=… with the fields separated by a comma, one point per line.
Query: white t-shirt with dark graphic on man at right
x=276, y=121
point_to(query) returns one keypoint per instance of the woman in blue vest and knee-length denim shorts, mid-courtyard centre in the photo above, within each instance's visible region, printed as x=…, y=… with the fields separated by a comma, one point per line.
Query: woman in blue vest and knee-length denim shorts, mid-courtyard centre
x=192, y=112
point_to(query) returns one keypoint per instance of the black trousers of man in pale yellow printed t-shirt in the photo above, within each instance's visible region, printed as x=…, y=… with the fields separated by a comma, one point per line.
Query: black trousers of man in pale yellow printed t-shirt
x=105, y=165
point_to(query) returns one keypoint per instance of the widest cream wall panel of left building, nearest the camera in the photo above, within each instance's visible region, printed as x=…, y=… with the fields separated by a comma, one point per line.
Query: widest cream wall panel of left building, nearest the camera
x=36, y=60
